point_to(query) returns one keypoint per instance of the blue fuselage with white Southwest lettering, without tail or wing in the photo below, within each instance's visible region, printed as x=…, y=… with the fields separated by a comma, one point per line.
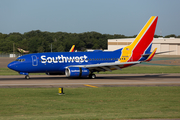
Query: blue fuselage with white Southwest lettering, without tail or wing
x=58, y=61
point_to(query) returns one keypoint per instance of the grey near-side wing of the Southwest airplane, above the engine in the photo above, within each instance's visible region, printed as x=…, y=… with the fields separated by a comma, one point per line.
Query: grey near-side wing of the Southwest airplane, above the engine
x=106, y=66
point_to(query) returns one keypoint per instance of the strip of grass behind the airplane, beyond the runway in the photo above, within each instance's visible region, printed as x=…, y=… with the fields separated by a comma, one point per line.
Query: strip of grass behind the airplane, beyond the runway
x=128, y=70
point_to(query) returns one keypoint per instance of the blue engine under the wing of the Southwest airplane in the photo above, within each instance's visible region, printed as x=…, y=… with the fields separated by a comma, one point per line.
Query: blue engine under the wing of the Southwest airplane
x=76, y=72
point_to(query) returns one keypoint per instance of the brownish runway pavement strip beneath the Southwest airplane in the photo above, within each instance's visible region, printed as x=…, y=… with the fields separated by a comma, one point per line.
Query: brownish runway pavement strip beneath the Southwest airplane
x=100, y=81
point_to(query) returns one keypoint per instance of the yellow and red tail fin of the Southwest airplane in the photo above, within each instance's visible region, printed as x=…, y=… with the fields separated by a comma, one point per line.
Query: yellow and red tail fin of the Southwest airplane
x=142, y=42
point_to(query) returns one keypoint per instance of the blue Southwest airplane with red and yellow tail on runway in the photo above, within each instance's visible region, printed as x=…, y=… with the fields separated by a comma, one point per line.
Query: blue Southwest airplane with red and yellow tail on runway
x=84, y=64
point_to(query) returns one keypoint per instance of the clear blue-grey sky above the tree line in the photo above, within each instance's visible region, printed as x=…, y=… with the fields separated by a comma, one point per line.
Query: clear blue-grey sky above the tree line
x=125, y=17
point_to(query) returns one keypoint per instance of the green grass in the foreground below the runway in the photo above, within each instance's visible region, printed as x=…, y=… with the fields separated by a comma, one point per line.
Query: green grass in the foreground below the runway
x=90, y=103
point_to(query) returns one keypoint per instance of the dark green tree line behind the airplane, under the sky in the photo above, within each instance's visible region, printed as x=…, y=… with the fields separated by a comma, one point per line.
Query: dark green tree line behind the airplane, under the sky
x=37, y=41
